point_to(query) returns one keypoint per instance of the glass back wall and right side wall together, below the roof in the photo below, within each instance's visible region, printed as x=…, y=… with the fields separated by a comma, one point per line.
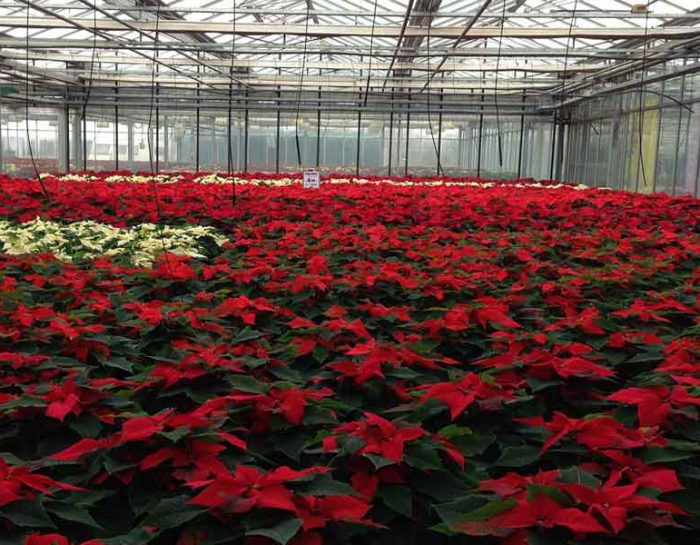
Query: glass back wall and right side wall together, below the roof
x=638, y=141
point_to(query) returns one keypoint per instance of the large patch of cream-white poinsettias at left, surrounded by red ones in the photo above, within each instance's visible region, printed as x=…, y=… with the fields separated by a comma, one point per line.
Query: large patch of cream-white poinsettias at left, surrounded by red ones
x=141, y=244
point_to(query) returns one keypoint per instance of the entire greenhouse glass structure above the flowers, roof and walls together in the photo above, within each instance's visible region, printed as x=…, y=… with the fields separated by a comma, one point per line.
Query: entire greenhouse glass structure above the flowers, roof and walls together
x=599, y=93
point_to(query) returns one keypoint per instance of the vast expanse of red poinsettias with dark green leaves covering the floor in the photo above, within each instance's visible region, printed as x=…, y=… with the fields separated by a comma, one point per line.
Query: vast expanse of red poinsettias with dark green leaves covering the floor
x=361, y=364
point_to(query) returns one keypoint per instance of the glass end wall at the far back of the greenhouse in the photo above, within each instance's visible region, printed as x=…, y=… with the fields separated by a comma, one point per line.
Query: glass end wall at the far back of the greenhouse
x=354, y=142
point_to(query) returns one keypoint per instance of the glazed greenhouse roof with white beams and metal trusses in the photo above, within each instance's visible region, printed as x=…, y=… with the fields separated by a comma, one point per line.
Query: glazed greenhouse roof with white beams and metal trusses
x=529, y=53
